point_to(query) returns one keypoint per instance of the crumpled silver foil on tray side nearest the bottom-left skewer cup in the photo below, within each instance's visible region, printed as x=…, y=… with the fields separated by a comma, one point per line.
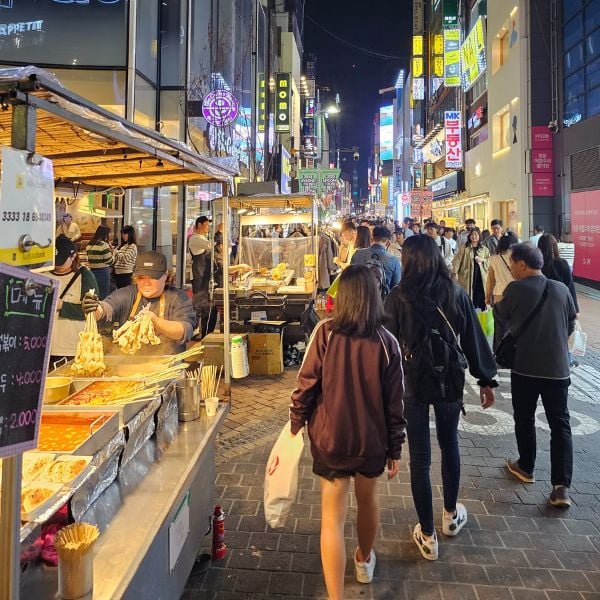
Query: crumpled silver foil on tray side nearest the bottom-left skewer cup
x=106, y=462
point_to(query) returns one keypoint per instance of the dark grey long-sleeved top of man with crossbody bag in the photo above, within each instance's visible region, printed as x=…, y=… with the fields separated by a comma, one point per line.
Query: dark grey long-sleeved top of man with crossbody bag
x=542, y=350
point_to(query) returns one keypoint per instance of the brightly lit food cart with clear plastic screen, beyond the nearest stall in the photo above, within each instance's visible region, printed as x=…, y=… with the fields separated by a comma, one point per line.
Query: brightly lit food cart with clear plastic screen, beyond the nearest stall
x=278, y=239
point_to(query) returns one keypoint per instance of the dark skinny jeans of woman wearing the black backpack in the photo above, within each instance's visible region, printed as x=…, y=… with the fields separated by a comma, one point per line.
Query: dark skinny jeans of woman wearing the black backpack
x=447, y=415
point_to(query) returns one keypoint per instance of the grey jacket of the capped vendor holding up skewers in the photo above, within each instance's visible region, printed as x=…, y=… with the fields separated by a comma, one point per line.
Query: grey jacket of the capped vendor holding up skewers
x=178, y=307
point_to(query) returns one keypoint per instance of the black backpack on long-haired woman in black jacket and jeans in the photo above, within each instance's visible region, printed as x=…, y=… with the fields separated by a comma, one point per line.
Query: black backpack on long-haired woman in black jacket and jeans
x=434, y=363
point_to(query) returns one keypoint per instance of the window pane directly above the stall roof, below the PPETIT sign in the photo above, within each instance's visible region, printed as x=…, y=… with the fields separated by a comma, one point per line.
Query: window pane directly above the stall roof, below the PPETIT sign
x=105, y=88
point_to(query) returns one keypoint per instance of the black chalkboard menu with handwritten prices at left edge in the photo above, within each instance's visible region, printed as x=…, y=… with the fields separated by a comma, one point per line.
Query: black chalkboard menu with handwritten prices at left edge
x=27, y=305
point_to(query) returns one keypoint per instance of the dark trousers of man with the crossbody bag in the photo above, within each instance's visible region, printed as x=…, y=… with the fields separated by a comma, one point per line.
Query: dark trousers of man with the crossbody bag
x=554, y=393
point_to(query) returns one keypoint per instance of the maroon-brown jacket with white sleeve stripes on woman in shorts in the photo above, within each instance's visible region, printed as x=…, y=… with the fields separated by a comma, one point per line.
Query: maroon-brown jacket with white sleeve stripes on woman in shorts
x=350, y=393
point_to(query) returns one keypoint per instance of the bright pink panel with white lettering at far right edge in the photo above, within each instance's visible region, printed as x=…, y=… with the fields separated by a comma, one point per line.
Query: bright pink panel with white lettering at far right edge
x=585, y=227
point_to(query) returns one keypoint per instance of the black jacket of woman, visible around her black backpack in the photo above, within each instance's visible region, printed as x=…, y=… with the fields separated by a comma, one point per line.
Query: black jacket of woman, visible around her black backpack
x=466, y=325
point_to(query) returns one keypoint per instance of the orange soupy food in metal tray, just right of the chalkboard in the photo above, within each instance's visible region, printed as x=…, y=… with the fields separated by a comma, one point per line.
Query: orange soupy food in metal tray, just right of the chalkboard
x=64, y=434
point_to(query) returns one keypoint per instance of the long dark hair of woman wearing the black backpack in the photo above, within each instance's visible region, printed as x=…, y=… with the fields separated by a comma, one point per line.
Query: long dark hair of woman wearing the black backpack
x=426, y=281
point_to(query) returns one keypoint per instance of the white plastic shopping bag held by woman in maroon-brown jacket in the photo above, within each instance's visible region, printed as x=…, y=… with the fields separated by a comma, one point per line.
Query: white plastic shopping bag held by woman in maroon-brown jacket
x=281, y=476
